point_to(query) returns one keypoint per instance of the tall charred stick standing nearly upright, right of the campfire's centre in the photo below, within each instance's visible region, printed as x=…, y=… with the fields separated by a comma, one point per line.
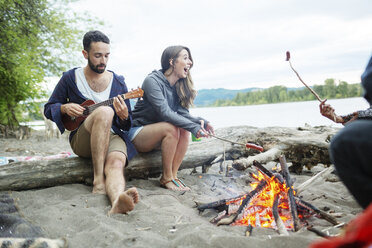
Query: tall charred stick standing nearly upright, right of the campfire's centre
x=291, y=200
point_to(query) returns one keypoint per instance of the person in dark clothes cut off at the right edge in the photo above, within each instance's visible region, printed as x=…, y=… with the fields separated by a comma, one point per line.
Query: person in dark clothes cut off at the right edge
x=351, y=148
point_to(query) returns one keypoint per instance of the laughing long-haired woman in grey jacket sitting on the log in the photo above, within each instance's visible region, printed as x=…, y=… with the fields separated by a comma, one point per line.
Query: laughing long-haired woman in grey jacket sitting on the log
x=162, y=117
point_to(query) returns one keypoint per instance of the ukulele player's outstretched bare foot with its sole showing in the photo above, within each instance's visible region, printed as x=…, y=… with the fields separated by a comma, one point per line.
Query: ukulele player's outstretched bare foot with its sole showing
x=125, y=202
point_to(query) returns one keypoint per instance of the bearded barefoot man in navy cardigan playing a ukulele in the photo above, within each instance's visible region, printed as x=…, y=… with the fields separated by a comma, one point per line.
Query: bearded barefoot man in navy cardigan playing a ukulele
x=101, y=136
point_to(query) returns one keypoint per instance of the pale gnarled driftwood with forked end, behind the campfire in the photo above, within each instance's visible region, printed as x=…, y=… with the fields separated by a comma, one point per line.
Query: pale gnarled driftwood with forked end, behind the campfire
x=302, y=147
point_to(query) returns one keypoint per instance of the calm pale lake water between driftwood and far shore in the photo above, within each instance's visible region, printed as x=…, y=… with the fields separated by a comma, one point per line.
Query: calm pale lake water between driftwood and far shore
x=293, y=114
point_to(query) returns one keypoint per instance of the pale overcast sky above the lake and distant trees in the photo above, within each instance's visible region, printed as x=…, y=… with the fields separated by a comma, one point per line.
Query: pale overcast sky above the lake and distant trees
x=239, y=44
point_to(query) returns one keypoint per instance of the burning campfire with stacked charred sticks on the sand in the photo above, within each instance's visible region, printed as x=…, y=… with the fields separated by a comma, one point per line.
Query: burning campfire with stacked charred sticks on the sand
x=272, y=203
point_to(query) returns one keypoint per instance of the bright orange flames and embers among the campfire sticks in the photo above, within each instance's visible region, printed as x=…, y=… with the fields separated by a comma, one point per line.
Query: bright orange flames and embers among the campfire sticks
x=259, y=210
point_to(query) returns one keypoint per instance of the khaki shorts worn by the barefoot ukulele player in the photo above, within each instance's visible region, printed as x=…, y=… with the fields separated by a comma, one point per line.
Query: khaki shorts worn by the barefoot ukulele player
x=80, y=143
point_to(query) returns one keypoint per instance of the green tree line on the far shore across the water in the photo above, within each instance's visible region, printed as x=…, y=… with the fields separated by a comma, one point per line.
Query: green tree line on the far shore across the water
x=278, y=94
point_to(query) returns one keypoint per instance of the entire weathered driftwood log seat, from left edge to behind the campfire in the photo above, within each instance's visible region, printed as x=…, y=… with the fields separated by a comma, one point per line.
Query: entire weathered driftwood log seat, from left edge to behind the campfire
x=305, y=147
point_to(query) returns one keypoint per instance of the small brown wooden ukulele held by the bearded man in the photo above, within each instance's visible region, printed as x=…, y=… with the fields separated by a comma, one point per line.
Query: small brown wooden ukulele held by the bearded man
x=71, y=123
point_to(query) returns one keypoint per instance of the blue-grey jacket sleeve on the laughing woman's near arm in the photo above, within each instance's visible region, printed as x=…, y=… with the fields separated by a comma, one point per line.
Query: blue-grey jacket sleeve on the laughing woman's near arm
x=159, y=103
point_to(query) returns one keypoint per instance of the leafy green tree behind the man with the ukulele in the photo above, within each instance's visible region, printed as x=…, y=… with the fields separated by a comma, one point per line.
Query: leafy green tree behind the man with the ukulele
x=38, y=38
